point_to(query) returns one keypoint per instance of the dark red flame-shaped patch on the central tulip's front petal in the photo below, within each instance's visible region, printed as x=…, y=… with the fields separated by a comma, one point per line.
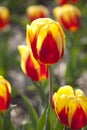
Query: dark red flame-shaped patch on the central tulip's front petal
x=49, y=52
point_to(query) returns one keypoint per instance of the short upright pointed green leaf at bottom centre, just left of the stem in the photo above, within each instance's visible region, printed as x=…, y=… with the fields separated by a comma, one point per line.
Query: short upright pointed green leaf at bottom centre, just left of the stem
x=42, y=120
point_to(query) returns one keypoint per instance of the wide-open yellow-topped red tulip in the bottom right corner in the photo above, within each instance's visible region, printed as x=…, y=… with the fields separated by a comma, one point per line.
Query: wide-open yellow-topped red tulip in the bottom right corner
x=71, y=107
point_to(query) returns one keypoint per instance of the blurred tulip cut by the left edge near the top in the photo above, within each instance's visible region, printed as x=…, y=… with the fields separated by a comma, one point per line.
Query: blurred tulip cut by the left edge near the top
x=4, y=17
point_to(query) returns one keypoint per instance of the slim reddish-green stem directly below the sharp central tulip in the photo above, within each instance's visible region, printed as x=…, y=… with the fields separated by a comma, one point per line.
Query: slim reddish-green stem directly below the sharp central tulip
x=50, y=85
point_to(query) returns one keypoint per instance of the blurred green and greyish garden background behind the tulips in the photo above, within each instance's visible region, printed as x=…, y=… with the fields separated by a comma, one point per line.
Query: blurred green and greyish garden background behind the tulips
x=72, y=69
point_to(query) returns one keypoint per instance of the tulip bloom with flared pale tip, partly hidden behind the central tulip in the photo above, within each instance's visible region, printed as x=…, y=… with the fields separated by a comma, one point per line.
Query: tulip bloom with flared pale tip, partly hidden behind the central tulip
x=33, y=69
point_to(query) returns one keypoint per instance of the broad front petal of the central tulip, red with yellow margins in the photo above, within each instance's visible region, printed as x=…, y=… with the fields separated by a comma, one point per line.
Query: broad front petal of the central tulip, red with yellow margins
x=50, y=39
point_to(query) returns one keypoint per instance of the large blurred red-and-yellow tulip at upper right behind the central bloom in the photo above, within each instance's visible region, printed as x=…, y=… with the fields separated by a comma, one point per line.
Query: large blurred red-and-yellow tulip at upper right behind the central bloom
x=68, y=15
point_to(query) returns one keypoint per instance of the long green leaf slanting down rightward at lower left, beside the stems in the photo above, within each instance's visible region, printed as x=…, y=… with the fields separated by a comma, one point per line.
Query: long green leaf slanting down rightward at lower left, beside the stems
x=32, y=113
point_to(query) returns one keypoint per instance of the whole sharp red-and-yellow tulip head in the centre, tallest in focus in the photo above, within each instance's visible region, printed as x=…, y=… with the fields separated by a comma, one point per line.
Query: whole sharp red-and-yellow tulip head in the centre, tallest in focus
x=47, y=40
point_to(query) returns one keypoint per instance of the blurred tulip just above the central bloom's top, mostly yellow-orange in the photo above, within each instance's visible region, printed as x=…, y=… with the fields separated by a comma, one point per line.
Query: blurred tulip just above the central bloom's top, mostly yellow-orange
x=37, y=11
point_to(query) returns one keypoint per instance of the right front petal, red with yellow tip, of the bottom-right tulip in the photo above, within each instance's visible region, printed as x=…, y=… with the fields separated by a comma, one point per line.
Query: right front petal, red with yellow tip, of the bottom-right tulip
x=78, y=115
